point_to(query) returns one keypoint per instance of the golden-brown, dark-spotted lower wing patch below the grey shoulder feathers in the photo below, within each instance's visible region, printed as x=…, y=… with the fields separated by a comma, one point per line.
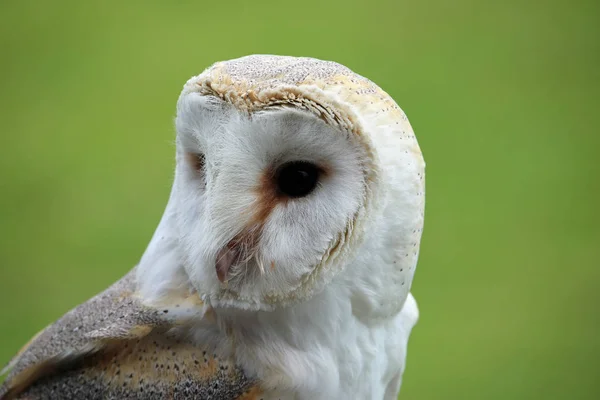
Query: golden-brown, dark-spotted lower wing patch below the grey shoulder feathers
x=155, y=367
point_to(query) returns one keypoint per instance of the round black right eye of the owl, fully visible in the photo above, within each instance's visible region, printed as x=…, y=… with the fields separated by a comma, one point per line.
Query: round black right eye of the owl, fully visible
x=297, y=178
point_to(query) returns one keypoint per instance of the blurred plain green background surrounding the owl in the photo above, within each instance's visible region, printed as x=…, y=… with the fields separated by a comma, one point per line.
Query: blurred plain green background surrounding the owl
x=503, y=96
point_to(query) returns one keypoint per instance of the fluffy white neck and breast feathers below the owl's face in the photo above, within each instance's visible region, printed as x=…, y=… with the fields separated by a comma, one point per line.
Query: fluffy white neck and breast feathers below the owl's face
x=317, y=348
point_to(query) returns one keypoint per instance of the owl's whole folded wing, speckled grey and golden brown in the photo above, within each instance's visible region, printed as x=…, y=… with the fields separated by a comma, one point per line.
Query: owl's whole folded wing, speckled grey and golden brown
x=114, y=347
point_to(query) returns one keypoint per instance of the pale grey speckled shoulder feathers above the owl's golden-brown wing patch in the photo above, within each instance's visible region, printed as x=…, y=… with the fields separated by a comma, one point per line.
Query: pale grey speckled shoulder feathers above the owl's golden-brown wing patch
x=109, y=317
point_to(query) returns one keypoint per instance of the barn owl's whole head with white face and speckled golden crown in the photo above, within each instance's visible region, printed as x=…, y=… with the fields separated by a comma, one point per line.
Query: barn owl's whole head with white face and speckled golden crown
x=291, y=174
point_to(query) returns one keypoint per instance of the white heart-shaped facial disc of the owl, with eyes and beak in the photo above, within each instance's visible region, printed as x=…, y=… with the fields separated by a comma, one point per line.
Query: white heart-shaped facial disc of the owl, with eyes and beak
x=262, y=197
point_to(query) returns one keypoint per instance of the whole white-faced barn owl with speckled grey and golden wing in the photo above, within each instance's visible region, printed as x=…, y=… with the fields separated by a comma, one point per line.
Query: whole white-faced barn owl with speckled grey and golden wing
x=282, y=265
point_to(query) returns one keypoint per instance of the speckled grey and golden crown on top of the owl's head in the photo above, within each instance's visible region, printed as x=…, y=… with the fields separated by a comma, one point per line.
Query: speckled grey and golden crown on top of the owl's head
x=259, y=81
